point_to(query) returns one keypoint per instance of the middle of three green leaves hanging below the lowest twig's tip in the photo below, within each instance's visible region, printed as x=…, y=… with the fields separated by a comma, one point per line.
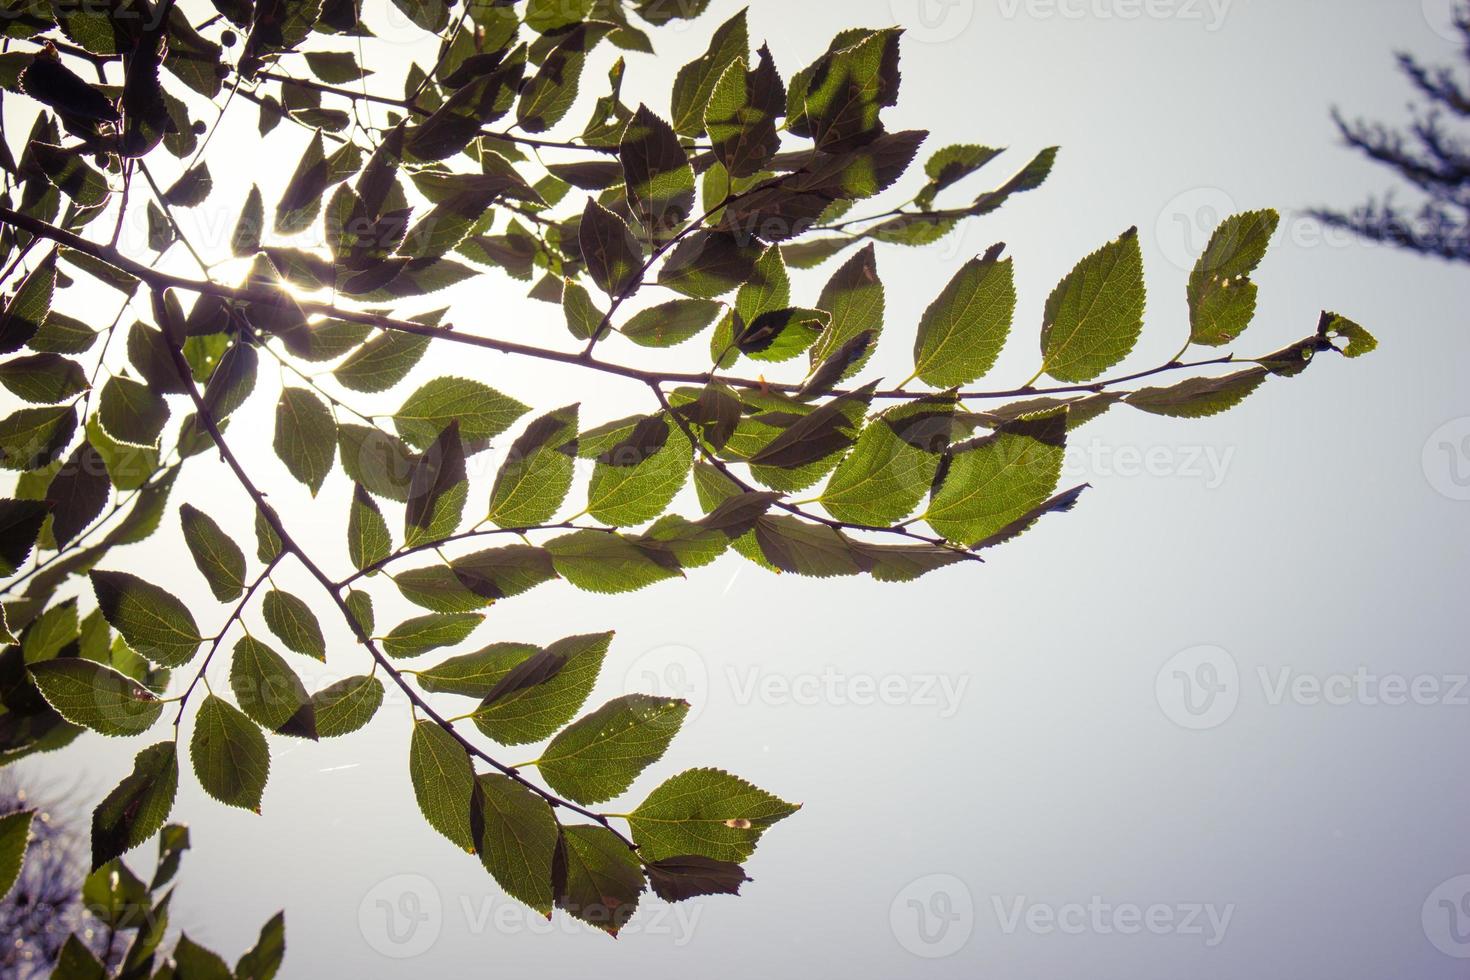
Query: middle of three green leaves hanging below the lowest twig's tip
x=518, y=838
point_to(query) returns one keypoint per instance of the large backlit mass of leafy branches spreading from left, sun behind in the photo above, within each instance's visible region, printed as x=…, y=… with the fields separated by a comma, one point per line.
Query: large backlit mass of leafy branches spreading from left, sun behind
x=648, y=227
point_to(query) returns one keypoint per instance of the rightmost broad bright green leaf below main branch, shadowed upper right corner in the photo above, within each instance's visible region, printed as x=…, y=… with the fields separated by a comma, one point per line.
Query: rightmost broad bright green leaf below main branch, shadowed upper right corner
x=993, y=481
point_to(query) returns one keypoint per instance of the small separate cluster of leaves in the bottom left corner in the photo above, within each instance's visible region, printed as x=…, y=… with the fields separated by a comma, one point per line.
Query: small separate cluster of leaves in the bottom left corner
x=133, y=912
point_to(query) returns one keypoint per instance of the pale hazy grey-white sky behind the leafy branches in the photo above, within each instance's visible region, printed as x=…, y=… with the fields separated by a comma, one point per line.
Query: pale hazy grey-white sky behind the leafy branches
x=1040, y=756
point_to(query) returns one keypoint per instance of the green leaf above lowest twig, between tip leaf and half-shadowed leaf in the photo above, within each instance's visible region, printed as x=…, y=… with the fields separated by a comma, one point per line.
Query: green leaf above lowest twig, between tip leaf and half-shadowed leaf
x=600, y=756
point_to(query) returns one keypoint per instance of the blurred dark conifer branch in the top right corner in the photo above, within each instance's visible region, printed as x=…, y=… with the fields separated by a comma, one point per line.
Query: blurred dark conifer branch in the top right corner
x=1430, y=155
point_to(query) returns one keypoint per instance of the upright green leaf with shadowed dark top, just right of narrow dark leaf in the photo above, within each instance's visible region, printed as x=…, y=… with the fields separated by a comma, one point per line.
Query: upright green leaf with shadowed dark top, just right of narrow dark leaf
x=537, y=472
